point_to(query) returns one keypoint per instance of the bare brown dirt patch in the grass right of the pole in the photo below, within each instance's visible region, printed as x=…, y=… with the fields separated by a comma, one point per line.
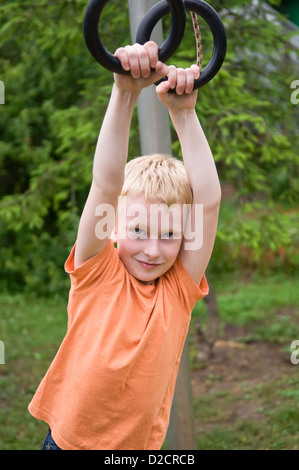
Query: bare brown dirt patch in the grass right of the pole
x=238, y=377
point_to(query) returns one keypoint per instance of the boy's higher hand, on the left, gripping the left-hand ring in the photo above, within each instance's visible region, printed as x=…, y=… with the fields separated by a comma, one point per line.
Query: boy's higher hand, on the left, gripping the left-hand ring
x=144, y=65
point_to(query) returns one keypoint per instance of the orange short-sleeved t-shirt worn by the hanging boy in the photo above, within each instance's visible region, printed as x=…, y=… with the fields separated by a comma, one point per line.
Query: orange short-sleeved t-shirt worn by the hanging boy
x=111, y=384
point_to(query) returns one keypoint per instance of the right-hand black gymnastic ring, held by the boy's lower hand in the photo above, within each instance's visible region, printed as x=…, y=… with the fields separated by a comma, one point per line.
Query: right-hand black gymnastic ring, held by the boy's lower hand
x=208, y=13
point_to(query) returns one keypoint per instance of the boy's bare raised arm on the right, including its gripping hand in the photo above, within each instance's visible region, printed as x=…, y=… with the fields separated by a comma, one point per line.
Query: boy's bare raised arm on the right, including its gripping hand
x=200, y=168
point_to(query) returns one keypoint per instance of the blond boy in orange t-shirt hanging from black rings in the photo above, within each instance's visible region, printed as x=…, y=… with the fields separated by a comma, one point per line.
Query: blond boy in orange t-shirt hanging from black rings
x=111, y=383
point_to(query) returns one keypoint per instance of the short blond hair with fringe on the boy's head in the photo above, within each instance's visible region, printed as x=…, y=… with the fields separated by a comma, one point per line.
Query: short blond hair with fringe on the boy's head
x=158, y=178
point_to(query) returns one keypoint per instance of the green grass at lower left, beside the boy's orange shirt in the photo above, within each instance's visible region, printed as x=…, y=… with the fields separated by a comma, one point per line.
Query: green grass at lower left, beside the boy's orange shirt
x=31, y=330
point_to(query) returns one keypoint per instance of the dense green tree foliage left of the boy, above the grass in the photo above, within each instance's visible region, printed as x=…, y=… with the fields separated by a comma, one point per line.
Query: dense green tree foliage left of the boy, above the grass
x=55, y=99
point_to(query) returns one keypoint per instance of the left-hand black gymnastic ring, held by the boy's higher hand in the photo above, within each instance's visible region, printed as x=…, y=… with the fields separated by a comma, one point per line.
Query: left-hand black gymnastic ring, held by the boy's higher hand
x=108, y=60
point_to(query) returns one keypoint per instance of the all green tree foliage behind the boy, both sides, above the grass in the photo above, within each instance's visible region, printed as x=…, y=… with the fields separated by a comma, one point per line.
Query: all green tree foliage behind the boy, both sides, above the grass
x=56, y=96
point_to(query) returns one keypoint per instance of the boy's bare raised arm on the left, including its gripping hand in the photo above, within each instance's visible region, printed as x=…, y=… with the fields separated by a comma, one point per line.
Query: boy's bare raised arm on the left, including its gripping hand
x=112, y=146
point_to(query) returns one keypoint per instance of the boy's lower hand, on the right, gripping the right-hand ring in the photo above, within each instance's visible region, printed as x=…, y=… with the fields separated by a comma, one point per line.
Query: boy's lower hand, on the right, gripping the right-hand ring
x=182, y=80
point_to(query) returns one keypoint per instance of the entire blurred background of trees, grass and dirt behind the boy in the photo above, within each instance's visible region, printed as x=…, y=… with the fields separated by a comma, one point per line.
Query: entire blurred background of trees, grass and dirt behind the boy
x=244, y=370
